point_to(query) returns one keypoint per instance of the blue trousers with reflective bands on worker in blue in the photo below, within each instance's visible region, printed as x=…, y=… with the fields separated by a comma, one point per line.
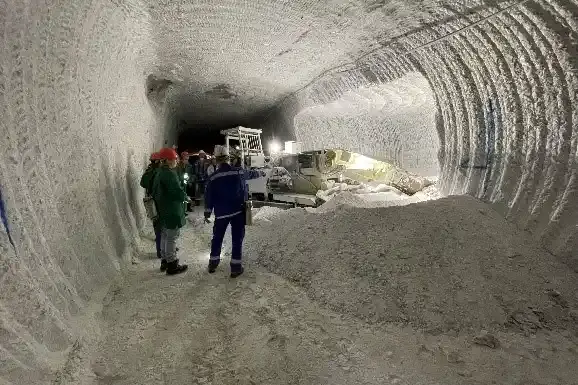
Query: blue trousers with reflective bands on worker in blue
x=237, y=235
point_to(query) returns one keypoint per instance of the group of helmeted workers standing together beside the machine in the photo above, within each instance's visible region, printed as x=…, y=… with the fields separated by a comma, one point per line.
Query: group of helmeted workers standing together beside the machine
x=167, y=180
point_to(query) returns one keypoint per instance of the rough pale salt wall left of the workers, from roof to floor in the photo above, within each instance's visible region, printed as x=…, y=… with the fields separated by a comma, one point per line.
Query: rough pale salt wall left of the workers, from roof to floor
x=76, y=129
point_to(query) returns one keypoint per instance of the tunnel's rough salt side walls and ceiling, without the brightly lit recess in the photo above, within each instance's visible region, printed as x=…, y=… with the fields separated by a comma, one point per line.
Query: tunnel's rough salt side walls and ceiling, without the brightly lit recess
x=77, y=126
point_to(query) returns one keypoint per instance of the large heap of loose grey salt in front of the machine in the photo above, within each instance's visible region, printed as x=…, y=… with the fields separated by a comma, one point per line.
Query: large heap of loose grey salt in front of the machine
x=448, y=264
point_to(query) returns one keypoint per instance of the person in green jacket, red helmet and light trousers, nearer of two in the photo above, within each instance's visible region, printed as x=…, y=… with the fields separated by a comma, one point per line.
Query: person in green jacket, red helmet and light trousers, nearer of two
x=170, y=198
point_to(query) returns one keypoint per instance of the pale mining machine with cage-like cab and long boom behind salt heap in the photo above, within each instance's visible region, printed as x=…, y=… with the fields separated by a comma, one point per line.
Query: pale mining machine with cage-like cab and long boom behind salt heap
x=299, y=178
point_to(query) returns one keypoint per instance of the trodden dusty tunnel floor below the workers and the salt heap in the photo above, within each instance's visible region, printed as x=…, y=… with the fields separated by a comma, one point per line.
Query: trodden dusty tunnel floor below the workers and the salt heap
x=198, y=328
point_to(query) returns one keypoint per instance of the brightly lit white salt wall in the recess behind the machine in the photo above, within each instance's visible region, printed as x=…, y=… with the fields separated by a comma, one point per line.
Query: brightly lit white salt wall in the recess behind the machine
x=394, y=121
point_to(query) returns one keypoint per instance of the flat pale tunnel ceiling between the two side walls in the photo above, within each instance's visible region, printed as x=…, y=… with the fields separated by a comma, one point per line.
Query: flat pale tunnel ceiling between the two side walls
x=230, y=59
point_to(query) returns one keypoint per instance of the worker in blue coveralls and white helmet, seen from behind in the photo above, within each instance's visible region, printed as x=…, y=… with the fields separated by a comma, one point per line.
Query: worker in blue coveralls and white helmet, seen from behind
x=226, y=194
